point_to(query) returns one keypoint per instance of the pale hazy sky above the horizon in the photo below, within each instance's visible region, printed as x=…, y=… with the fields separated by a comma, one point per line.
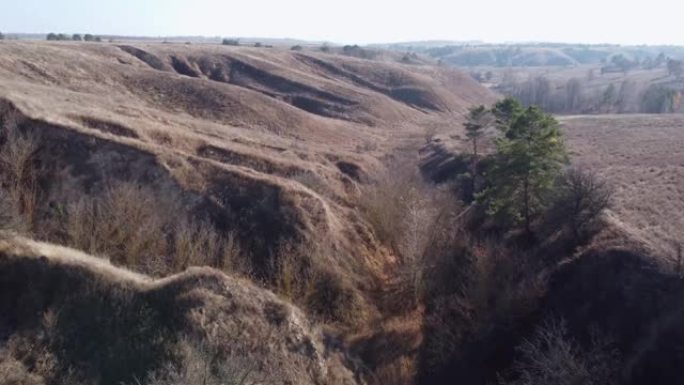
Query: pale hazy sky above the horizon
x=360, y=21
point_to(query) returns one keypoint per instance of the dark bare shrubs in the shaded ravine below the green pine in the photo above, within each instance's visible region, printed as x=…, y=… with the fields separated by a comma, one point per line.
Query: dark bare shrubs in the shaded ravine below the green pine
x=471, y=292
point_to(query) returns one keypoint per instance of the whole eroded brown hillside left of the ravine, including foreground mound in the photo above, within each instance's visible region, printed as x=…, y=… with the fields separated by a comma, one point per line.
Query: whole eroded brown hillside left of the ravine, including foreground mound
x=252, y=161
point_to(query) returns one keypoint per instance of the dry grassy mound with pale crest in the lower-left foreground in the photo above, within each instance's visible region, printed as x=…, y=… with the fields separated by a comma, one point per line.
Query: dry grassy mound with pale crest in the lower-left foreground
x=106, y=325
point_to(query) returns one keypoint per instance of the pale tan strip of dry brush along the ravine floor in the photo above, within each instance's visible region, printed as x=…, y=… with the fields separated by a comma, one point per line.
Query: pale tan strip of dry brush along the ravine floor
x=414, y=220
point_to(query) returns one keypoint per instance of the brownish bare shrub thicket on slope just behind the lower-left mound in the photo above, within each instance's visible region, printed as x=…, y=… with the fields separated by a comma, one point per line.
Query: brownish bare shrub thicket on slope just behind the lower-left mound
x=134, y=227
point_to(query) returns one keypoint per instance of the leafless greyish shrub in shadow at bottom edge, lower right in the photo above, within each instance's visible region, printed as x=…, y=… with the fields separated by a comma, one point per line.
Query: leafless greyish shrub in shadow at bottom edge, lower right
x=551, y=356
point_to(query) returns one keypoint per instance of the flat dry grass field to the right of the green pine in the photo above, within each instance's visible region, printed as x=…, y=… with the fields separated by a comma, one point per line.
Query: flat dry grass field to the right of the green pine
x=641, y=157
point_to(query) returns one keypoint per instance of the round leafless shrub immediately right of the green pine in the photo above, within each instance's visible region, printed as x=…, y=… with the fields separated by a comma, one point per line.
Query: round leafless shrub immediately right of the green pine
x=581, y=198
